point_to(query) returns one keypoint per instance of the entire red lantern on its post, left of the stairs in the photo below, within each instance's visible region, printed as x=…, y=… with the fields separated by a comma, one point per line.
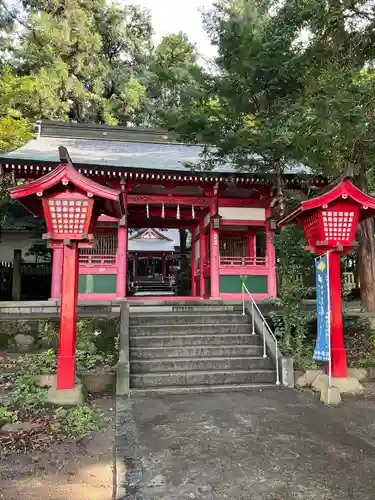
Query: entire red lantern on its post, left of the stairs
x=71, y=204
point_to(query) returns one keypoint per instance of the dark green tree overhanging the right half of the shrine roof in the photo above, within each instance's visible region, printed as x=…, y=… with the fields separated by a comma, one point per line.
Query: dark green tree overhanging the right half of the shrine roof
x=244, y=107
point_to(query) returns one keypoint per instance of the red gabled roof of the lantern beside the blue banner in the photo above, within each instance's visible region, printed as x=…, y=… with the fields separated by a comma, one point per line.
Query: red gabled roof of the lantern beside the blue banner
x=345, y=190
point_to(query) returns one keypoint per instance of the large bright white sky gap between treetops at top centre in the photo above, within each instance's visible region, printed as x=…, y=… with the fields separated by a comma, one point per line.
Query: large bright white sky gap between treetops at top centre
x=179, y=15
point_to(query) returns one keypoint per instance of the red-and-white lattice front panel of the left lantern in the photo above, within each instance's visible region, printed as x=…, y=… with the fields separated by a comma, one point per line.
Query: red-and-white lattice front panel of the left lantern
x=68, y=216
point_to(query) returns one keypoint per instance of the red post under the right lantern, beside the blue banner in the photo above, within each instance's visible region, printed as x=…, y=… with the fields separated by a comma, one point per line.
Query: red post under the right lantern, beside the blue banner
x=338, y=354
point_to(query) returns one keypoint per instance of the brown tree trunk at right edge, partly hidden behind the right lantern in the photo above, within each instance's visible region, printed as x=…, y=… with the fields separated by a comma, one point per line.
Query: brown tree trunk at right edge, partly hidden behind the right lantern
x=366, y=256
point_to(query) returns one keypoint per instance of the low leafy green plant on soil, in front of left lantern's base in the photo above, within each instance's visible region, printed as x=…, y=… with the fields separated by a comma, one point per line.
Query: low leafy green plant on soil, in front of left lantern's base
x=75, y=422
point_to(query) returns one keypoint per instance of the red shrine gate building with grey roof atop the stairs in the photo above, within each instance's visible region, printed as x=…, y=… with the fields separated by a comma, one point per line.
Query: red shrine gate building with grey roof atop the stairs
x=227, y=213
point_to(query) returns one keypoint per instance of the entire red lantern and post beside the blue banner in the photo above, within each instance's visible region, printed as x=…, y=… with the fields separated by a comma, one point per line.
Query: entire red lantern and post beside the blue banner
x=330, y=223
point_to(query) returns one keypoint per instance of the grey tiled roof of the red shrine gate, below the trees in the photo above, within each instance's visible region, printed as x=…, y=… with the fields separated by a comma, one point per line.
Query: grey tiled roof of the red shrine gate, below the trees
x=114, y=147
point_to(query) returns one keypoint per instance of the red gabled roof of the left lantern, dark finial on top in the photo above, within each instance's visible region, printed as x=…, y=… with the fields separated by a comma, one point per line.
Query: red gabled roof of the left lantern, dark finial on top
x=109, y=201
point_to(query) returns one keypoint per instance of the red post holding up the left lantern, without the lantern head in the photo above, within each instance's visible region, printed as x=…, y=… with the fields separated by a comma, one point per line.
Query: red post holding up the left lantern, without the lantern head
x=68, y=318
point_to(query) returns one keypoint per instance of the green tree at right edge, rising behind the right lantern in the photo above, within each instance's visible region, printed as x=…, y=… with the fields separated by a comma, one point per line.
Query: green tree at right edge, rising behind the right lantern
x=332, y=123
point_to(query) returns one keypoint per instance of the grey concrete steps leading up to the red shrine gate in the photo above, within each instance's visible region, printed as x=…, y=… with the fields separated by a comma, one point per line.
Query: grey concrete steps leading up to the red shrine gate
x=200, y=348
